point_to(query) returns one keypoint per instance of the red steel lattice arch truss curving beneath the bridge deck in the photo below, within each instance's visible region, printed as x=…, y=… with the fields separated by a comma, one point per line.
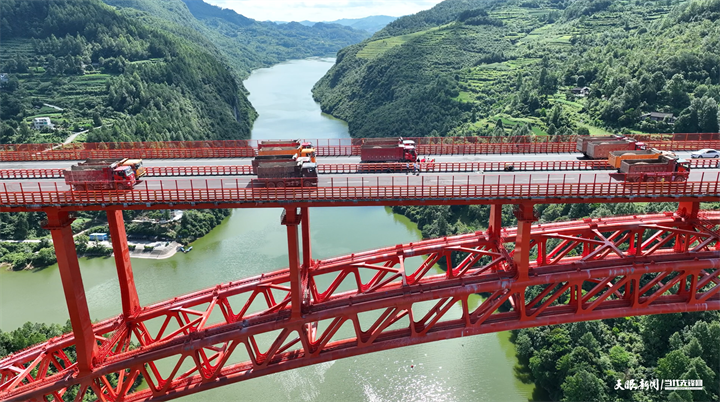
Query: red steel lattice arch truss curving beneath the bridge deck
x=613, y=274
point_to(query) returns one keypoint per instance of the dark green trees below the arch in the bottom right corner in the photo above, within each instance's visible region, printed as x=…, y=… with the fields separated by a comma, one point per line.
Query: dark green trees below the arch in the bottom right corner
x=595, y=361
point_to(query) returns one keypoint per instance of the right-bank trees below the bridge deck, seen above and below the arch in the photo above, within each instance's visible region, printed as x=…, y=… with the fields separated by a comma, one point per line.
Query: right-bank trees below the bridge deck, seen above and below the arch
x=583, y=362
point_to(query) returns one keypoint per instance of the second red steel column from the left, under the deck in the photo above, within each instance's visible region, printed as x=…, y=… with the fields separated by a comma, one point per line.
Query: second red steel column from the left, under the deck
x=128, y=292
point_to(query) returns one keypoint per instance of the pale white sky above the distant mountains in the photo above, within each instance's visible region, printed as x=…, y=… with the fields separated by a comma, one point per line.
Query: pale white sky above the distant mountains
x=322, y=10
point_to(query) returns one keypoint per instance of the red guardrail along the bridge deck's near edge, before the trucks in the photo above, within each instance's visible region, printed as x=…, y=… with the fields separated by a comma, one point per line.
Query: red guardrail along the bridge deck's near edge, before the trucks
x=361, y=189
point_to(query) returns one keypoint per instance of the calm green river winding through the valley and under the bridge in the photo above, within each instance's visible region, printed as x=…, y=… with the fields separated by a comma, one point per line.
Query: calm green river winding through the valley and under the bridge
x=478, y=368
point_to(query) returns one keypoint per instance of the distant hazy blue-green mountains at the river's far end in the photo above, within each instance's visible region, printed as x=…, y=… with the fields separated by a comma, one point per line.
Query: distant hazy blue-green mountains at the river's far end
x=247, y=44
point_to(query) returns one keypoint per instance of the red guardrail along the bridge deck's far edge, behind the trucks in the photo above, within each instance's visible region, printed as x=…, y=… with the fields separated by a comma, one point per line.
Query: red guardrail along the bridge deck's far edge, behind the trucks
x=332, y=147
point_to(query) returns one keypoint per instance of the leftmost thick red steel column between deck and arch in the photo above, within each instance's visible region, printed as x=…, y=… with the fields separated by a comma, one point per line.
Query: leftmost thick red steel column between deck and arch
x=69, y=267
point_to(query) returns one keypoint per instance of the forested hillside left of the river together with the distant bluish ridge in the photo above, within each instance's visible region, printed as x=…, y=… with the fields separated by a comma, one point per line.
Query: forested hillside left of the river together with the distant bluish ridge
x=148, y=71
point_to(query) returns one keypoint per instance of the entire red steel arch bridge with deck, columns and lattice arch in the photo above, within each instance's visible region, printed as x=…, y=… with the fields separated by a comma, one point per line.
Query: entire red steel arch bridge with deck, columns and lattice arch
x=316, y=311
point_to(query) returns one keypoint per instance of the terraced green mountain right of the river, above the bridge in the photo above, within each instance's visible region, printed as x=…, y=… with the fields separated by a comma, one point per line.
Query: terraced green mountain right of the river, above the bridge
x=492, y=67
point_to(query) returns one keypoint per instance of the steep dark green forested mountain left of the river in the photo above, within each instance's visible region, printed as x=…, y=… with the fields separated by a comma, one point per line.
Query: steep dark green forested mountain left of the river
x=97, y=67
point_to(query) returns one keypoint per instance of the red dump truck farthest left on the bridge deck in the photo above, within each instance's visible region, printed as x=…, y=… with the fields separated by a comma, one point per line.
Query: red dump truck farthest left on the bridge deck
x=101, y=176
